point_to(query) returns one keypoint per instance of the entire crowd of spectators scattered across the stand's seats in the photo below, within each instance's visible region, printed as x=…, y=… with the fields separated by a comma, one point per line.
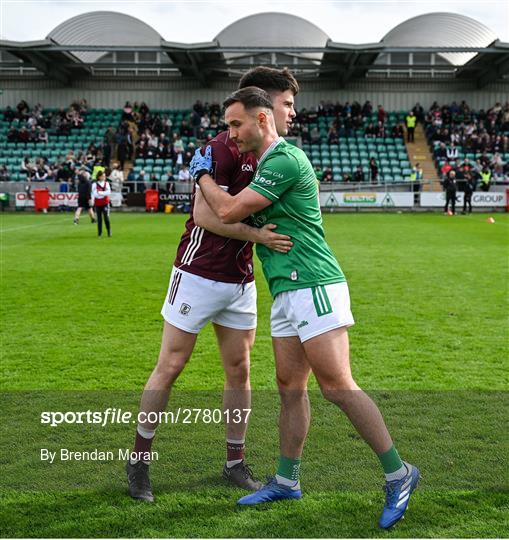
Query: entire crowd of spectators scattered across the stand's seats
x=144, y=135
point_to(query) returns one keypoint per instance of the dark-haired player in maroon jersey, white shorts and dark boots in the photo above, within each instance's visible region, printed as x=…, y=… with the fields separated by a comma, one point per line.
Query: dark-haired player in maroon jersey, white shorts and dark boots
x=212, y=280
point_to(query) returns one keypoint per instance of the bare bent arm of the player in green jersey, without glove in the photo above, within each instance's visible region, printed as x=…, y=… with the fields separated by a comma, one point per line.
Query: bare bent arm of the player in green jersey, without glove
x=228, y=208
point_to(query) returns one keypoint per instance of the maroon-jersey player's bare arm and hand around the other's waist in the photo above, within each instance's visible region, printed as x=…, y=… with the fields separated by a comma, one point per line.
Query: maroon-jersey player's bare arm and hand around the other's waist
x=204, y=217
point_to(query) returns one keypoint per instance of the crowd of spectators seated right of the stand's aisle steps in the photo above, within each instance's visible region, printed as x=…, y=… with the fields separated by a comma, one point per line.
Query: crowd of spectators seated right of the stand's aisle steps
x=455, y=130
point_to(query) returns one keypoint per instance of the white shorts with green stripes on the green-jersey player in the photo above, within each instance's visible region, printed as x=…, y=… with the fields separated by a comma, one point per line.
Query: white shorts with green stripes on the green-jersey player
x=310, y=312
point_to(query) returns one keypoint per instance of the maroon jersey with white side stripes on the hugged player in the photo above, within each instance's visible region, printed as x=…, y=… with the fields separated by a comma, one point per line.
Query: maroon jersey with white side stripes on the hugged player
x=204, y=253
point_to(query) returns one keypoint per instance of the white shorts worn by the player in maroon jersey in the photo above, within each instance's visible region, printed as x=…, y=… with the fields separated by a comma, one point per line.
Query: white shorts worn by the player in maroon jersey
x=193, y=301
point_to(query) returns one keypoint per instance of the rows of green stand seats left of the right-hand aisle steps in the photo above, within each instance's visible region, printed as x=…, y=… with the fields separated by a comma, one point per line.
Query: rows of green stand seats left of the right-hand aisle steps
x=160, y=141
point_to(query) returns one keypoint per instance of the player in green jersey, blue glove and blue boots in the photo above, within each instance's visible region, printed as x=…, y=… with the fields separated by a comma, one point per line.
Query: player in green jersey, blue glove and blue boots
x=311, y=310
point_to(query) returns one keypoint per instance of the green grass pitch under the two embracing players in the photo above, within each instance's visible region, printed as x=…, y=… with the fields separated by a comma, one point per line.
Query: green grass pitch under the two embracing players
x=81, y=330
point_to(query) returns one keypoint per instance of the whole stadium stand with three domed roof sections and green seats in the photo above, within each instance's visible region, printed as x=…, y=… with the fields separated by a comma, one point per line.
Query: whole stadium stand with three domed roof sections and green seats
x=354, y=100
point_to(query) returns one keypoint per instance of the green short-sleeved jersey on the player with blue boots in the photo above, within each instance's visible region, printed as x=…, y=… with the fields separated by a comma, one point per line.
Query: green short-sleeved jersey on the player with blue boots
x=286, y=177
